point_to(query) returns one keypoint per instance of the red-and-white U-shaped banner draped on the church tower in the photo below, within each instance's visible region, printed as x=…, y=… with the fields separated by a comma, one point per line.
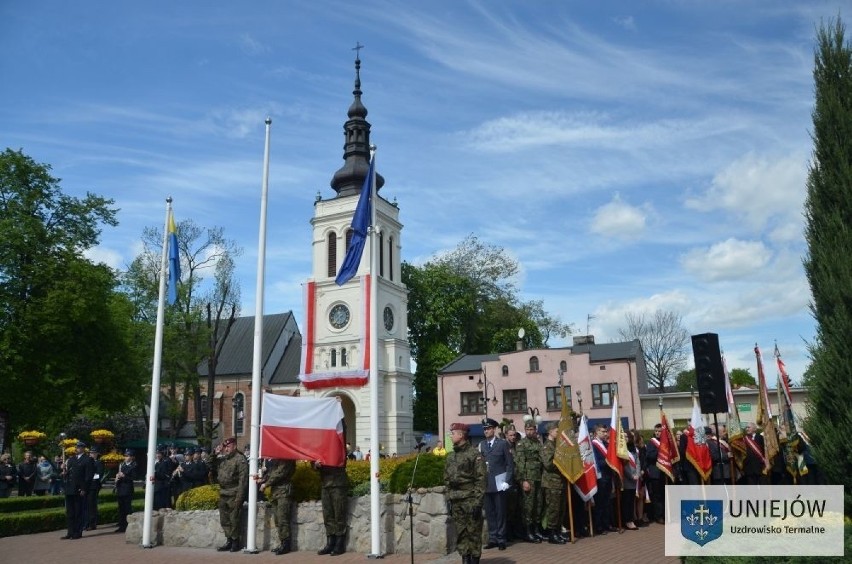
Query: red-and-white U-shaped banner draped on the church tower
x=355, y=373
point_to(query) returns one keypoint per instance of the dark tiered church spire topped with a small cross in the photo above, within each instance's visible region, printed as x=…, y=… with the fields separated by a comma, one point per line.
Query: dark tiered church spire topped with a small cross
x=349, y=179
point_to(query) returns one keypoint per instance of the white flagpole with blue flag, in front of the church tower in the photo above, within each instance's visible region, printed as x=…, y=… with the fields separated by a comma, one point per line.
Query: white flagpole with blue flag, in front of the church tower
x=375, y=514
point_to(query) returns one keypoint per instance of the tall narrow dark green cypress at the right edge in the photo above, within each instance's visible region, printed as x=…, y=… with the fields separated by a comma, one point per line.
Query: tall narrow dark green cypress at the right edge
x=829, y=261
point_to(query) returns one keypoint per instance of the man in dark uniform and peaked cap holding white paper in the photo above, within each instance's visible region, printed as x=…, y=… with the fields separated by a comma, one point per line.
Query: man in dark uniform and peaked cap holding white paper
x=501, y=467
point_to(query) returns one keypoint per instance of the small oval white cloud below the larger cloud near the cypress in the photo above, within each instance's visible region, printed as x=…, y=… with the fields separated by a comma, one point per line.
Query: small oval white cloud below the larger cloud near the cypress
x=729, y=260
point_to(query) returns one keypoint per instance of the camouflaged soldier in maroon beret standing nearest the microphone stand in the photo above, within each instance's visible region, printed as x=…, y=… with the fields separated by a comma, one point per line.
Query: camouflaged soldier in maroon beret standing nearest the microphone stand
x=465, y=477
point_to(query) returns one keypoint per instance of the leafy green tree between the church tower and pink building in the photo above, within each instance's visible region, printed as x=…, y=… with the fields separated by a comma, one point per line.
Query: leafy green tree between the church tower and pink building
x=465, y=301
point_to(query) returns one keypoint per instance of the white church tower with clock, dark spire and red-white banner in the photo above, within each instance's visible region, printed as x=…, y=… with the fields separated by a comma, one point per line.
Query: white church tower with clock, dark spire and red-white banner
x=336, y=333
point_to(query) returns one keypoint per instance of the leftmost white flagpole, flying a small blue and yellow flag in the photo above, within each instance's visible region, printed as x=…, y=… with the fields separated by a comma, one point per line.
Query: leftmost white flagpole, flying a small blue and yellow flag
x=154, y=412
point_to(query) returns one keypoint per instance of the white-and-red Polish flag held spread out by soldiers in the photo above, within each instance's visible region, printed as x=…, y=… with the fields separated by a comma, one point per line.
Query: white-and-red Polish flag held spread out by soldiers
x=296, y=428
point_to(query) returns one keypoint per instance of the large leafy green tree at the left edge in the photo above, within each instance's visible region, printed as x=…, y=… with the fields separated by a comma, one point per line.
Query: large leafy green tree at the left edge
x=65, y=334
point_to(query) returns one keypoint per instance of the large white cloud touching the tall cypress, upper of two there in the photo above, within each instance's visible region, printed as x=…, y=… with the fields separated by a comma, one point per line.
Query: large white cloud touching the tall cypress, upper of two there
x=757, y=189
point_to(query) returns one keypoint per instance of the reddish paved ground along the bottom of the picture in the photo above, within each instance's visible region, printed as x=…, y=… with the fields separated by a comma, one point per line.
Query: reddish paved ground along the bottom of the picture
x=103, y=546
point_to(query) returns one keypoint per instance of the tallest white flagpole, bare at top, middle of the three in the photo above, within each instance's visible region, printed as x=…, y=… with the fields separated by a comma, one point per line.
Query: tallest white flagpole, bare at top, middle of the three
x=258, y=352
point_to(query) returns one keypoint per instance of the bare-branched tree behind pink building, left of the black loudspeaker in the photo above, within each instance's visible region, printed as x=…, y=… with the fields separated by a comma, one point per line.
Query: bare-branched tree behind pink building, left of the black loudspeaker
x=665, y=344
